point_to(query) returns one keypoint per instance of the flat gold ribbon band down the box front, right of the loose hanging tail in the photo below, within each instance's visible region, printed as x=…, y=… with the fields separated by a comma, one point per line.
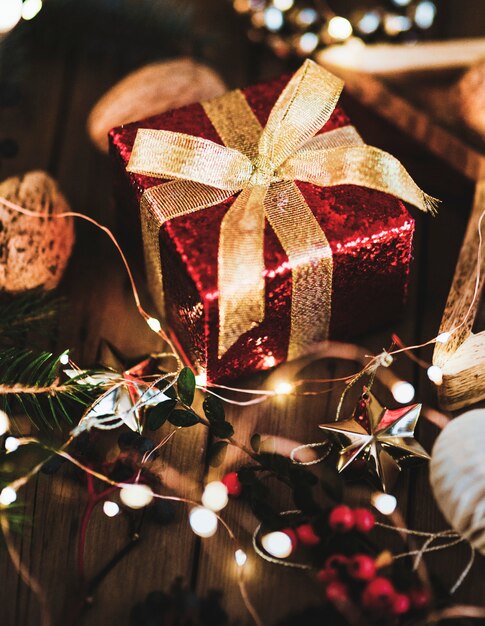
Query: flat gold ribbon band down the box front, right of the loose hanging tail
x=310, y=258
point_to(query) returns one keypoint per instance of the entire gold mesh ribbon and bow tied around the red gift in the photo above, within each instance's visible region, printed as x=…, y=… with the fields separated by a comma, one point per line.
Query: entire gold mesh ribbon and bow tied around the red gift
x=262, y=164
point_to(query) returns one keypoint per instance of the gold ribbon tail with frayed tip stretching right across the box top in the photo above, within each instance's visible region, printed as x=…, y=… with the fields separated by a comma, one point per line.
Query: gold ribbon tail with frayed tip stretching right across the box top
x=365, y=166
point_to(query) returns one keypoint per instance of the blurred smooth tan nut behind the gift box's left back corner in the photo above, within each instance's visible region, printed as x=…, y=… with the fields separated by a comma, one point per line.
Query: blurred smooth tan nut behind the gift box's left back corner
x=151, y=90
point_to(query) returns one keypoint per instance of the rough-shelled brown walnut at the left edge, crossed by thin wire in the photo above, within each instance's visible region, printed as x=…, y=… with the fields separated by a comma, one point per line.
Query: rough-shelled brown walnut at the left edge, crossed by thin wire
x=33, y=252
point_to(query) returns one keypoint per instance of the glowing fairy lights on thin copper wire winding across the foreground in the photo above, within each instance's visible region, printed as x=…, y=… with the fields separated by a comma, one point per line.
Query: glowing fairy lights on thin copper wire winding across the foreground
x=204, y=516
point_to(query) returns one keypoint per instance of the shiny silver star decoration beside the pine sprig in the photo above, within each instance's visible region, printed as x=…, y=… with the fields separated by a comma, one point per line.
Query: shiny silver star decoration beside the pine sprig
x=126, y=391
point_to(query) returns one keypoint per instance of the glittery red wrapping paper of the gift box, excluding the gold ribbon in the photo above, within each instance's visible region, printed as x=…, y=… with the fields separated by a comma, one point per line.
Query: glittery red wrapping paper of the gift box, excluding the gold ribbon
x=370, y=234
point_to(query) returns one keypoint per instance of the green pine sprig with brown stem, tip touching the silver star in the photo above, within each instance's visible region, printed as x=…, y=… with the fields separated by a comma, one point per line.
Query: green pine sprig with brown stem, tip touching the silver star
x=30, y=383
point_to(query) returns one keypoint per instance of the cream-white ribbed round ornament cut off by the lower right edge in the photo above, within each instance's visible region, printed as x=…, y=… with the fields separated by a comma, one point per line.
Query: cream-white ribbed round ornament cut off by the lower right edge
x=457, y=475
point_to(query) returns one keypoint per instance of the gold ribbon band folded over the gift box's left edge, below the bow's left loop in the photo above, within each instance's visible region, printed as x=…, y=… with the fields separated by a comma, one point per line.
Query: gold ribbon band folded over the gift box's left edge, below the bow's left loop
x=160, y=204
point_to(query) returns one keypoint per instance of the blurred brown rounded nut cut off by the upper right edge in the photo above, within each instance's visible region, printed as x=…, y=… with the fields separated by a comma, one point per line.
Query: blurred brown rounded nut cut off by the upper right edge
x=471, y=97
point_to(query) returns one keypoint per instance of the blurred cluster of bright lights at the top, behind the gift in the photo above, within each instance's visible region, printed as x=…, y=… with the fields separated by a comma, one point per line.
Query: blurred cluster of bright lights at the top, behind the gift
x=302, y=27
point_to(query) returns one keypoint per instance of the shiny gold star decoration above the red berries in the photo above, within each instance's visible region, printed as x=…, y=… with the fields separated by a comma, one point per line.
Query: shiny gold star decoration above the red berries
x=381, y=438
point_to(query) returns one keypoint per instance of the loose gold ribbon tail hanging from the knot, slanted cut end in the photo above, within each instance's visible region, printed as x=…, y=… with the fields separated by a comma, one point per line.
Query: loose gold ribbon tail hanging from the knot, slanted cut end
x=241, y=267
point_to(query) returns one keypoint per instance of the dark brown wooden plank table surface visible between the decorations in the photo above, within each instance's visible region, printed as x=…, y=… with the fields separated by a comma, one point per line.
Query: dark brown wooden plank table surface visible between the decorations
x=61, y=77
